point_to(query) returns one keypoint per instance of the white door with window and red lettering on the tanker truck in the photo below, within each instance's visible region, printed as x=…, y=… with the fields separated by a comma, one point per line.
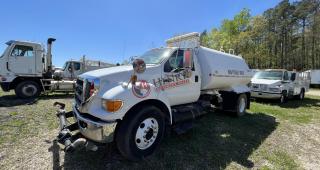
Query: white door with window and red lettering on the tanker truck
x=181, y=85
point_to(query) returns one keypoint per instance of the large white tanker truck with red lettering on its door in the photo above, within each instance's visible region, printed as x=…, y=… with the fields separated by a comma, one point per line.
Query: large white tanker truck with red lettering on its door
x=165, y=88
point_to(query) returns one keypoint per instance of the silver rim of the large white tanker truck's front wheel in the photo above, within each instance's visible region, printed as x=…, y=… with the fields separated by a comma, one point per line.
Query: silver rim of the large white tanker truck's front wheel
x=147, y=133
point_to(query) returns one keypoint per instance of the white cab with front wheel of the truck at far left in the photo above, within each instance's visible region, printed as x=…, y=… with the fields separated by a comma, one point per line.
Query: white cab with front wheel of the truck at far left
x=22, y=64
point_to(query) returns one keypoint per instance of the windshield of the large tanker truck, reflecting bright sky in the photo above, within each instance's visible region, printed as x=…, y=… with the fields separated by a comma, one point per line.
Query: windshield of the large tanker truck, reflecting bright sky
x=155, y=56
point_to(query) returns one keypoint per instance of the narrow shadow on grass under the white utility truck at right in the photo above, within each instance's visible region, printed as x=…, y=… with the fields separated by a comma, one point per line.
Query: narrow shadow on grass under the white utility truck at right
x=292, y=103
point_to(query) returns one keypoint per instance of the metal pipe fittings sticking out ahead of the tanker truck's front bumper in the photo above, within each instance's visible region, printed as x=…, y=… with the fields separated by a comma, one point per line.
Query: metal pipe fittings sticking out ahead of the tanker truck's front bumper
x=65, y=136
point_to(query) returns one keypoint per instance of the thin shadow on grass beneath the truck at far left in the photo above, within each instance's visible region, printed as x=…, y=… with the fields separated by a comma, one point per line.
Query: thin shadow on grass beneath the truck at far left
x=12, y=100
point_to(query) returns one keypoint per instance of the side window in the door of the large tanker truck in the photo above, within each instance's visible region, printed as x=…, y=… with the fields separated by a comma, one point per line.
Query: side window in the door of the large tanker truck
x=174, y=62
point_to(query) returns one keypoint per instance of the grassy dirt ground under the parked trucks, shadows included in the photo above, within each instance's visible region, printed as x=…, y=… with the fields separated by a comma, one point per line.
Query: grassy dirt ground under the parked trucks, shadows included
x=270, y=136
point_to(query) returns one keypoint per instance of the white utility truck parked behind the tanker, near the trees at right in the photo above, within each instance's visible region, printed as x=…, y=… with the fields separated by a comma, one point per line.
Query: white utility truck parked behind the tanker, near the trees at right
x=279, y=84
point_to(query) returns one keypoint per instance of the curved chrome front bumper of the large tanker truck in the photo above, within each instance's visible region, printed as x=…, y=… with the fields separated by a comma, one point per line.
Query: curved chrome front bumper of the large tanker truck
x=102, y=132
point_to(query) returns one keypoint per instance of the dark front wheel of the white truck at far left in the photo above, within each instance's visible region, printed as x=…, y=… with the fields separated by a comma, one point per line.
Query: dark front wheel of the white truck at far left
x=27, y=89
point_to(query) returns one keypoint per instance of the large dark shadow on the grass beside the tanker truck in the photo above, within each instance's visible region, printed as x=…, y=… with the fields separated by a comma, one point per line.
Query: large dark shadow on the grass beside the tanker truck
x=215, y=141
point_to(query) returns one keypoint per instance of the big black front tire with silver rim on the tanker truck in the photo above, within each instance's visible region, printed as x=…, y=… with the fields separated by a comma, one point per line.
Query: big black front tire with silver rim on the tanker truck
x=134, y=138
